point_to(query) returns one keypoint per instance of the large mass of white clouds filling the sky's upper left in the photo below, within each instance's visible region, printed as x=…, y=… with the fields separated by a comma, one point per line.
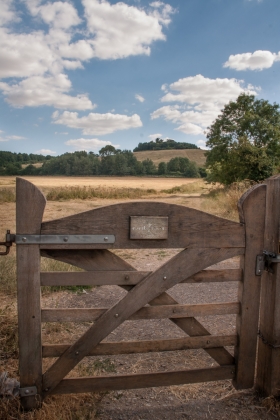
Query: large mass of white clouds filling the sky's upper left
x=39, y=57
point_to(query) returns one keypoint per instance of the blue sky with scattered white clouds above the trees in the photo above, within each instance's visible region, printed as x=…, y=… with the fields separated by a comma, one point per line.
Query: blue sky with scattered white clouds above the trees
x=81, y=74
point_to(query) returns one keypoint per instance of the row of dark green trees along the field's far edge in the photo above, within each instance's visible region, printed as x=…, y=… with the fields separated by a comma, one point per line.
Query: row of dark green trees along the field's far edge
x=109, y=161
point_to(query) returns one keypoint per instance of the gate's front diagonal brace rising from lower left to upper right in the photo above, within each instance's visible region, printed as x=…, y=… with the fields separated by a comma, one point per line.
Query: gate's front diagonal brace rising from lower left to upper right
x=185, y=264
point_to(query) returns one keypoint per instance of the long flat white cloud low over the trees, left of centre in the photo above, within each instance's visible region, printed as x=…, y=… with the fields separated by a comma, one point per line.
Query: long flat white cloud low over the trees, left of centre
x=97, y=124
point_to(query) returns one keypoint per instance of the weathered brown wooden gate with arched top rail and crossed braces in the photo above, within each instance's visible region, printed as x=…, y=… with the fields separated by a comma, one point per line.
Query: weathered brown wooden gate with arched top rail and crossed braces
x=84, y=240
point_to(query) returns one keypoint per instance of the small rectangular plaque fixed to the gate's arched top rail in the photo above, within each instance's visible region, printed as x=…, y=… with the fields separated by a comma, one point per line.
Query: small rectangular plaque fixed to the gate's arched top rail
x=148, y=227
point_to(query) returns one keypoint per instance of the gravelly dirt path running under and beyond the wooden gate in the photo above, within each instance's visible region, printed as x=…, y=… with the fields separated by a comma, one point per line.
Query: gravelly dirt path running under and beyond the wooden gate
x=215, y=400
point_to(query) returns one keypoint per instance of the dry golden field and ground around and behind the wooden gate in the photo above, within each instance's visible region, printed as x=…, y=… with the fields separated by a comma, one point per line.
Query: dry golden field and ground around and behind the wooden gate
x=217, y=400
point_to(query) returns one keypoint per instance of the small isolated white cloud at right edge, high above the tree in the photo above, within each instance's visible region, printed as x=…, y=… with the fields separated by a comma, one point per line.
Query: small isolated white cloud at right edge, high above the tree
x=257, y=60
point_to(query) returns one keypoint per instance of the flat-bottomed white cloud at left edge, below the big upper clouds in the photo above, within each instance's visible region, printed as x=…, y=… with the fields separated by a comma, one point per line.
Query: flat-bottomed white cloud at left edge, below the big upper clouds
x=40, y=90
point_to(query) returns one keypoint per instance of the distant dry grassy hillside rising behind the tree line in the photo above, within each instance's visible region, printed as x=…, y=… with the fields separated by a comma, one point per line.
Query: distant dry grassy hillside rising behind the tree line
x=194, y=155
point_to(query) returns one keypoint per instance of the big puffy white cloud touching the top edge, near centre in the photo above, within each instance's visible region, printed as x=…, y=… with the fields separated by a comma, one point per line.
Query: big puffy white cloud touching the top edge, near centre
x=111, y=23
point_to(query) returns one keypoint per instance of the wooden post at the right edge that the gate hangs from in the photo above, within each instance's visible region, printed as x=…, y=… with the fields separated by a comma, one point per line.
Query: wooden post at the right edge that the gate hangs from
x=268, y=363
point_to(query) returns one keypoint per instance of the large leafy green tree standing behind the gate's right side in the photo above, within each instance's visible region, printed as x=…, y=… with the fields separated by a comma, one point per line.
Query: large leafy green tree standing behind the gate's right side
x=244, y=141
